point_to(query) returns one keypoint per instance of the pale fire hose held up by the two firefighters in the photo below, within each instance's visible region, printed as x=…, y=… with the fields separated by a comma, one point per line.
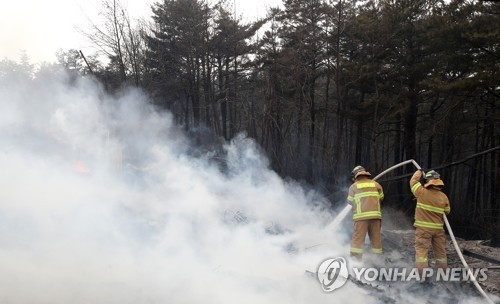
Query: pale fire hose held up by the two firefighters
x=348, y=207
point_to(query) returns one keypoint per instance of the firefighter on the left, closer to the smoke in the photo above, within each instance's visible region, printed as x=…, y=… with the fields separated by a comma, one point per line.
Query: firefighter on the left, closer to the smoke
x=365, y=196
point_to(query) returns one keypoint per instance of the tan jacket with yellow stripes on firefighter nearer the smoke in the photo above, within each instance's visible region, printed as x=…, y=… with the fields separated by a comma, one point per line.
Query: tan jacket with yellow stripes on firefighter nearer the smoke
x=365, y=196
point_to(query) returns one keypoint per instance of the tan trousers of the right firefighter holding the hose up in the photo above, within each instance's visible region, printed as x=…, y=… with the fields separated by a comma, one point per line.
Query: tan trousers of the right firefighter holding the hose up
x=424, y=238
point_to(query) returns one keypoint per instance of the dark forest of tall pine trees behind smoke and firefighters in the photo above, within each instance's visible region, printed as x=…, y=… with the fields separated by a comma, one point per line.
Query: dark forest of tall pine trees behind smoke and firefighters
x=325, y=85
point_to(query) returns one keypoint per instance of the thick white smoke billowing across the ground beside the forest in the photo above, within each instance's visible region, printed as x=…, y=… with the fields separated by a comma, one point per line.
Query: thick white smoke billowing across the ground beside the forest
x=102, y=201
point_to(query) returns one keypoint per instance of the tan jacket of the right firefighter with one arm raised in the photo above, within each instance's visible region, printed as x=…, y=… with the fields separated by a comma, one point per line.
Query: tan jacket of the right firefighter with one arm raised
x=431, y=204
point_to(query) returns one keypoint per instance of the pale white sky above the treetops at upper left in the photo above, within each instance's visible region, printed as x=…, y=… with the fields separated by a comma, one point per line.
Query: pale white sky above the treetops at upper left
x=42, y=27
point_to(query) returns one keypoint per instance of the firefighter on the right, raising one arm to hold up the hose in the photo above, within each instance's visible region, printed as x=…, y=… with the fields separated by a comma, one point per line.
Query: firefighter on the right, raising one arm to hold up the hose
x=432, y=203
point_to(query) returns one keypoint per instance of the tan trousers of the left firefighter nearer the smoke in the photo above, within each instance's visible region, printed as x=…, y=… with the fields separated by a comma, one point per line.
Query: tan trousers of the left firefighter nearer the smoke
x=361, y=227
